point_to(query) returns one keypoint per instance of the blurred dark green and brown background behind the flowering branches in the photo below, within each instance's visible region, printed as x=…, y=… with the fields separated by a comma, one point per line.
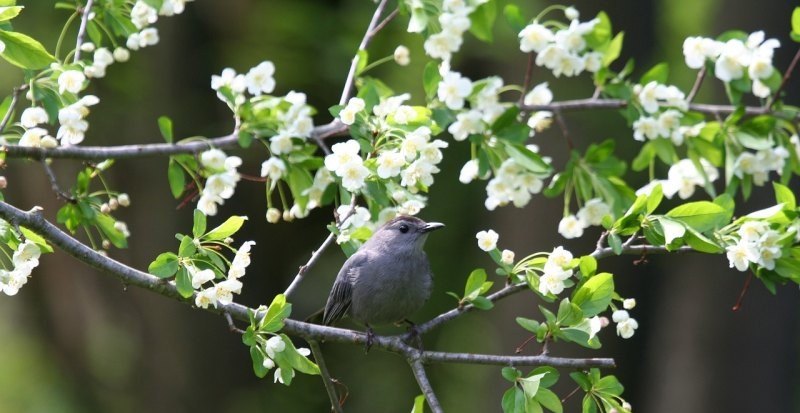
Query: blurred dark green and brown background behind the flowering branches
x=74, y=340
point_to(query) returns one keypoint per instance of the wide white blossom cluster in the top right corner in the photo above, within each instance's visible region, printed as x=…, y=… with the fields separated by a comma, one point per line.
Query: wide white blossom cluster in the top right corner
x=734, y=58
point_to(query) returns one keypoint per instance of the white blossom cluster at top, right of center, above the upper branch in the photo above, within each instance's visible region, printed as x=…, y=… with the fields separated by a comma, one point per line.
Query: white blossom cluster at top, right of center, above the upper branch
x=565, y=51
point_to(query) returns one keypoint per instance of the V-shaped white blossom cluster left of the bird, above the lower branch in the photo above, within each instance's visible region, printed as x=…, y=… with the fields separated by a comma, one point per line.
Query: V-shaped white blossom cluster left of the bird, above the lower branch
x=220, y=293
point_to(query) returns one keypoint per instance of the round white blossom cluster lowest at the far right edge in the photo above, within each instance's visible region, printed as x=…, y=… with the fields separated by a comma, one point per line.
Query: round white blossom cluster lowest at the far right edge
x=757, y=244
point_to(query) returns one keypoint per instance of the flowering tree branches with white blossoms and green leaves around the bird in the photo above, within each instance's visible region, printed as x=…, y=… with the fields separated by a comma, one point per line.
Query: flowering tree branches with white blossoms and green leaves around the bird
x=384, y=162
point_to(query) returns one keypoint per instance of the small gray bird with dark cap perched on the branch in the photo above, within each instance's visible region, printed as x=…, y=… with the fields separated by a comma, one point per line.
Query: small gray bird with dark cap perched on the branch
x=387, y=279
